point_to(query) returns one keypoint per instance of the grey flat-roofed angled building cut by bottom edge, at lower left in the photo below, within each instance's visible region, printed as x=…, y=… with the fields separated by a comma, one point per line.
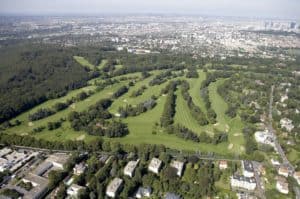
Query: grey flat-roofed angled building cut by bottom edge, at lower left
x=39, y=186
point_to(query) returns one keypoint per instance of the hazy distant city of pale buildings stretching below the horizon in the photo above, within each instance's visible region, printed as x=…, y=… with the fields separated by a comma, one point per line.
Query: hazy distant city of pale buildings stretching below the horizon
x=202, y=36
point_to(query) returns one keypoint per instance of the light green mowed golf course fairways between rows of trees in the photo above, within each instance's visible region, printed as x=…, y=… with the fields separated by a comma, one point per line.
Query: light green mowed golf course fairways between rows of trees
x=145, y=127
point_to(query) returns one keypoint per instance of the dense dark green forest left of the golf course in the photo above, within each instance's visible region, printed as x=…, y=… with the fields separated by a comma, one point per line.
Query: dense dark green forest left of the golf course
x=32, y=74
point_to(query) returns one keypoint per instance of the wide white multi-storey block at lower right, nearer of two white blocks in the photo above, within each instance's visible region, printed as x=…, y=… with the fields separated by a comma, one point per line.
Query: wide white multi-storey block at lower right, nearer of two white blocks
x=238, y=181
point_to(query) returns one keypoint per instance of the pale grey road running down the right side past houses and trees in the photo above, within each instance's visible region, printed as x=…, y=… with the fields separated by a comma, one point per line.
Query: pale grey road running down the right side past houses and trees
x=278, y=147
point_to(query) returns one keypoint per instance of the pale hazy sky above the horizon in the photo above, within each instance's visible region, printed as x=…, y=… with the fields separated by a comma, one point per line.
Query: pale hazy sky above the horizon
x=287, y=9
